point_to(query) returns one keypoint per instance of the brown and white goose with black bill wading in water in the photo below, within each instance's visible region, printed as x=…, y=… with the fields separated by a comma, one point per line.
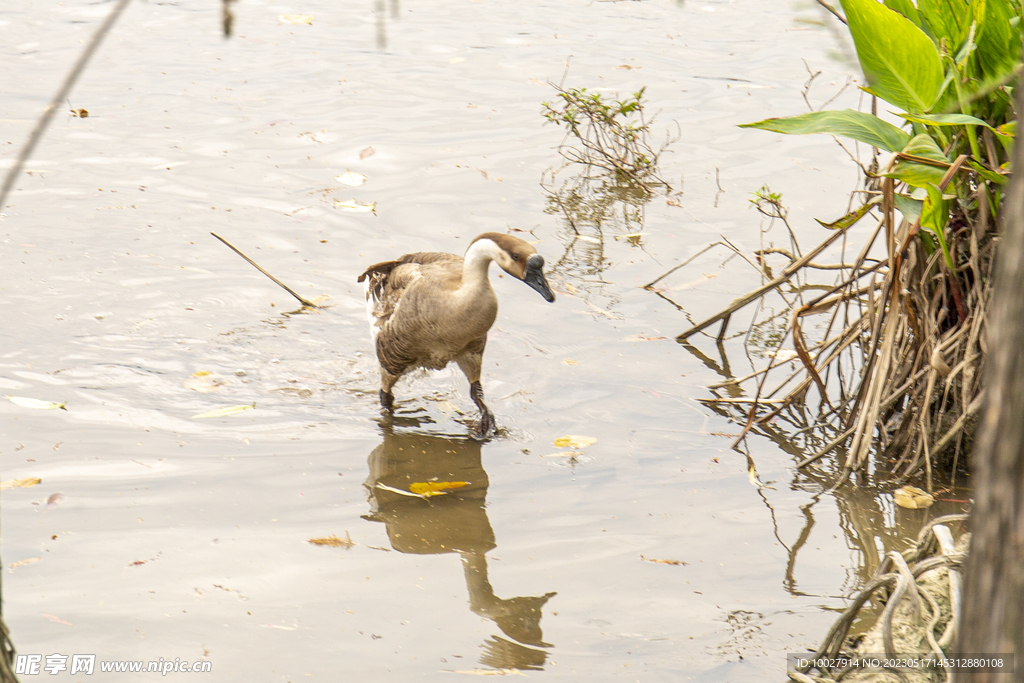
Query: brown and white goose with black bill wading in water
x=428, y=310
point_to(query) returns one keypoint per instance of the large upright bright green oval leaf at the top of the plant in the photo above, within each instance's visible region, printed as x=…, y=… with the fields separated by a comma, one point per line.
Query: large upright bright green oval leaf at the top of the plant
x=901, y=63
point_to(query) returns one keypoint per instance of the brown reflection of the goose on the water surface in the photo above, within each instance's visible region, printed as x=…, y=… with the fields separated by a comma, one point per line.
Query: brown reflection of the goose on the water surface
x=456, y=523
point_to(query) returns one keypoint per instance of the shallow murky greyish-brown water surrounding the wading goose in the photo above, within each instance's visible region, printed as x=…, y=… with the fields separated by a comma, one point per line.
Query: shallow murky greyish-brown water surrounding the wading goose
x=189, y=538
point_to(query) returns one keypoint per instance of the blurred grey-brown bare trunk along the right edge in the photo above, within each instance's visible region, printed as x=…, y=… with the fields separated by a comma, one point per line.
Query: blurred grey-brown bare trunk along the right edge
x=994, y=593
